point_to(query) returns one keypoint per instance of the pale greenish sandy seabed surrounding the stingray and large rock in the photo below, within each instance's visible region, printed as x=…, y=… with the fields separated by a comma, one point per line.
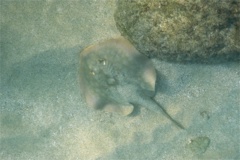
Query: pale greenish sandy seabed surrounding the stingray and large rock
x=44, y=117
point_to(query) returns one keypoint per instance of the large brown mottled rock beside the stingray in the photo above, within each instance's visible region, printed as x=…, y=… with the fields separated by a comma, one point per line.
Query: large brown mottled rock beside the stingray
x=180, y=30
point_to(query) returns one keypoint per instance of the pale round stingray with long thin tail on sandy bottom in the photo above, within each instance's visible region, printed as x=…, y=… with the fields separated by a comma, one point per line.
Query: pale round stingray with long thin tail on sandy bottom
x=115, y=77
